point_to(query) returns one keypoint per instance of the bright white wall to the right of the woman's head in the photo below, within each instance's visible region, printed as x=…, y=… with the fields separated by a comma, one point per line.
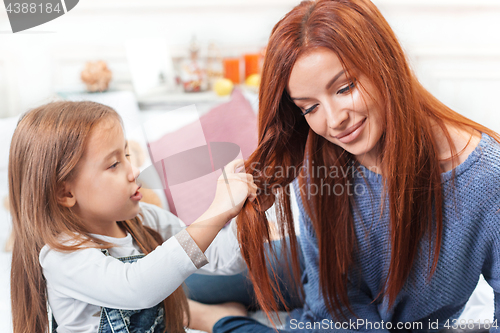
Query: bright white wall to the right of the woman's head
x=454, y=48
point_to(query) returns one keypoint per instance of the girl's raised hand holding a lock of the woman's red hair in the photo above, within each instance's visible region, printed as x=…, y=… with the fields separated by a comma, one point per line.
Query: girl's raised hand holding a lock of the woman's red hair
x=233, y=188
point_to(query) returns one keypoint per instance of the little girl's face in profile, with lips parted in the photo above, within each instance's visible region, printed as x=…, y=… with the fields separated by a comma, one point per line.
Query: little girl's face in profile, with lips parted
x=104, y=187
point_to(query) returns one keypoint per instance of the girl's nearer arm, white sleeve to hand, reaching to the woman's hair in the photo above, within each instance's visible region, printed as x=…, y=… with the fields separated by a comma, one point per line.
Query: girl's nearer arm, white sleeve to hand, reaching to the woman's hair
x=89, y=276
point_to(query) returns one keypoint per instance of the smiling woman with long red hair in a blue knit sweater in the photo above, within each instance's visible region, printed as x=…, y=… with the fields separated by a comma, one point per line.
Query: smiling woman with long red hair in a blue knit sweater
x=398, y=194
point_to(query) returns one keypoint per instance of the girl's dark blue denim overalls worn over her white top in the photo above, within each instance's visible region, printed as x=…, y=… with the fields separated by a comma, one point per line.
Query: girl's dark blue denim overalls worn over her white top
x=130, y=321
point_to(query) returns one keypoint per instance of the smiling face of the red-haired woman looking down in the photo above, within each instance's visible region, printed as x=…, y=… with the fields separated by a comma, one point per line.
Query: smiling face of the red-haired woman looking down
x=337, y=107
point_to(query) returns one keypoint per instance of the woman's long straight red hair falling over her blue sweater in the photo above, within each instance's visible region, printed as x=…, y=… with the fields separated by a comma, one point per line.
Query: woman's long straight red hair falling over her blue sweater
x=358, y=34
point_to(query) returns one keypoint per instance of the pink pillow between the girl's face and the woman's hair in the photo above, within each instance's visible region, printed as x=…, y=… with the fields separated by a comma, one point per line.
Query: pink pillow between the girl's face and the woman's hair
x=191, y=167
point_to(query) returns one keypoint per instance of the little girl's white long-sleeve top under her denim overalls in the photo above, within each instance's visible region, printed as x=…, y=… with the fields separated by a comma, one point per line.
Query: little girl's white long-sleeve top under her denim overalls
x=79, y=283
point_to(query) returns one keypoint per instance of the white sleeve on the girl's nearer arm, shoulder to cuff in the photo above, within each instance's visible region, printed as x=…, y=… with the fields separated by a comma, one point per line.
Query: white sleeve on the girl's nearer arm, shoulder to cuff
x=91, y=277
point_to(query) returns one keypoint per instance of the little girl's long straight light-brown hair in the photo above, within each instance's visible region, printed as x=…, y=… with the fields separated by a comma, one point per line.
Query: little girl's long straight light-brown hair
x=45, y=150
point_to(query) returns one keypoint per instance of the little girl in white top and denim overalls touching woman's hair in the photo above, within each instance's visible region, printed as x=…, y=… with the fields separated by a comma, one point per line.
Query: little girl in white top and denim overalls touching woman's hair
x=81, y=235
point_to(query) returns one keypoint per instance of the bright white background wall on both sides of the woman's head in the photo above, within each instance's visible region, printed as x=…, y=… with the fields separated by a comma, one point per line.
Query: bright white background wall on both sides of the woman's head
x=454, y=45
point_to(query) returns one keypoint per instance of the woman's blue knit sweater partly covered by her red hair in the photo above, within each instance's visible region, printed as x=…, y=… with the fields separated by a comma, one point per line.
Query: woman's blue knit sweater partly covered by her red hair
x=470, y=246
